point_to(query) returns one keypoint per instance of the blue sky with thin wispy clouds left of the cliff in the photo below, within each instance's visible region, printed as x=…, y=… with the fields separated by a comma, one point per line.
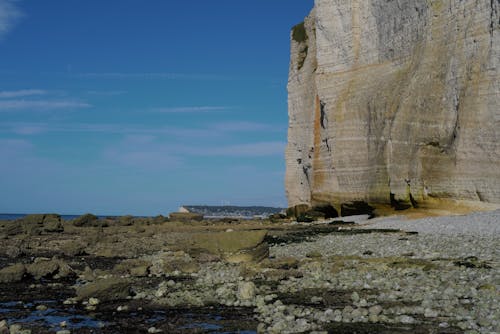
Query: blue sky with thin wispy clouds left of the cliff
x=137, y=107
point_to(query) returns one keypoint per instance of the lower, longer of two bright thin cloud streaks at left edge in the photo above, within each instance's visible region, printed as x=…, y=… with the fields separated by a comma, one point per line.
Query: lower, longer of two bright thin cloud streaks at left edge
x=11, y=105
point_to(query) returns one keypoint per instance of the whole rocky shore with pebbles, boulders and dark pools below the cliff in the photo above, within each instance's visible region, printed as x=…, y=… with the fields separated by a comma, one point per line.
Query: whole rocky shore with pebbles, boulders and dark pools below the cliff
x=153, y=275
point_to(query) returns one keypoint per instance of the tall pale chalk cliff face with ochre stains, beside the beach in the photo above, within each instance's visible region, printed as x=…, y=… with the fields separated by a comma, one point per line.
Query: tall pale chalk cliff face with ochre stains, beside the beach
x=395, y=100
